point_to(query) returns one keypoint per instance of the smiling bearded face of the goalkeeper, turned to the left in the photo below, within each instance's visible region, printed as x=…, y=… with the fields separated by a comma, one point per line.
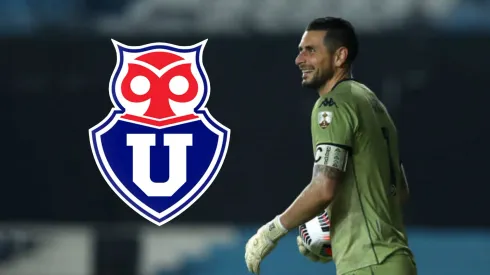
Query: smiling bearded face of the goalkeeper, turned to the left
x=314, y=60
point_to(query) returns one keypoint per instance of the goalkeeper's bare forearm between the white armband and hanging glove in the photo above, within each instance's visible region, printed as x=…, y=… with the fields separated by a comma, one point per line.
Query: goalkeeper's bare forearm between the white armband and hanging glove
x=314, y=198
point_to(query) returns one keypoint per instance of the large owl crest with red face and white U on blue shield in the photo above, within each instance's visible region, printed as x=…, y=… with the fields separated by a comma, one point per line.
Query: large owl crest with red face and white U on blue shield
x=159, y=149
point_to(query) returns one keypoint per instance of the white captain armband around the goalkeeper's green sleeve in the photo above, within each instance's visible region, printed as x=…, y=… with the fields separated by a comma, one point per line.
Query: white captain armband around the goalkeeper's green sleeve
x=332, y=155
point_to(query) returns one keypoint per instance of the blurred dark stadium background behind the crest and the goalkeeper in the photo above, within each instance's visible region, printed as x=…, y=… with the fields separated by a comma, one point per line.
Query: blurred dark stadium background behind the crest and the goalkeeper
x=427, y=60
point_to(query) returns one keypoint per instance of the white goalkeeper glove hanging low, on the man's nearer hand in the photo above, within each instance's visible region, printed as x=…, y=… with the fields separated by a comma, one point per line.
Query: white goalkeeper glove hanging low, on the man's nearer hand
x=262, y=243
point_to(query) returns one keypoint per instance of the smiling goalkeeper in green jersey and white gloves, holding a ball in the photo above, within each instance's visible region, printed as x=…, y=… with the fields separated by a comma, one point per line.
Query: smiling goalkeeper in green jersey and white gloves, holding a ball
x=357, y=173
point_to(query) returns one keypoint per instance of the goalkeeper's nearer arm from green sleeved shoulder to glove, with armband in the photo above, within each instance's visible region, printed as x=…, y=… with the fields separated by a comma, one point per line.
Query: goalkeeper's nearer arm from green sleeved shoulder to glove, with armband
x=333, y=141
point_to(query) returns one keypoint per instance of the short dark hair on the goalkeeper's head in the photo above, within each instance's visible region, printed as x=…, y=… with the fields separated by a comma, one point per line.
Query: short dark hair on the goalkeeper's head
x=340, y=33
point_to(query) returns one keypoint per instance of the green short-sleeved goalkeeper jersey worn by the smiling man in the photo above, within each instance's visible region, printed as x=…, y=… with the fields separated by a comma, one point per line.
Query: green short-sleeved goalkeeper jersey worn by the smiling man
x=352, y=131
